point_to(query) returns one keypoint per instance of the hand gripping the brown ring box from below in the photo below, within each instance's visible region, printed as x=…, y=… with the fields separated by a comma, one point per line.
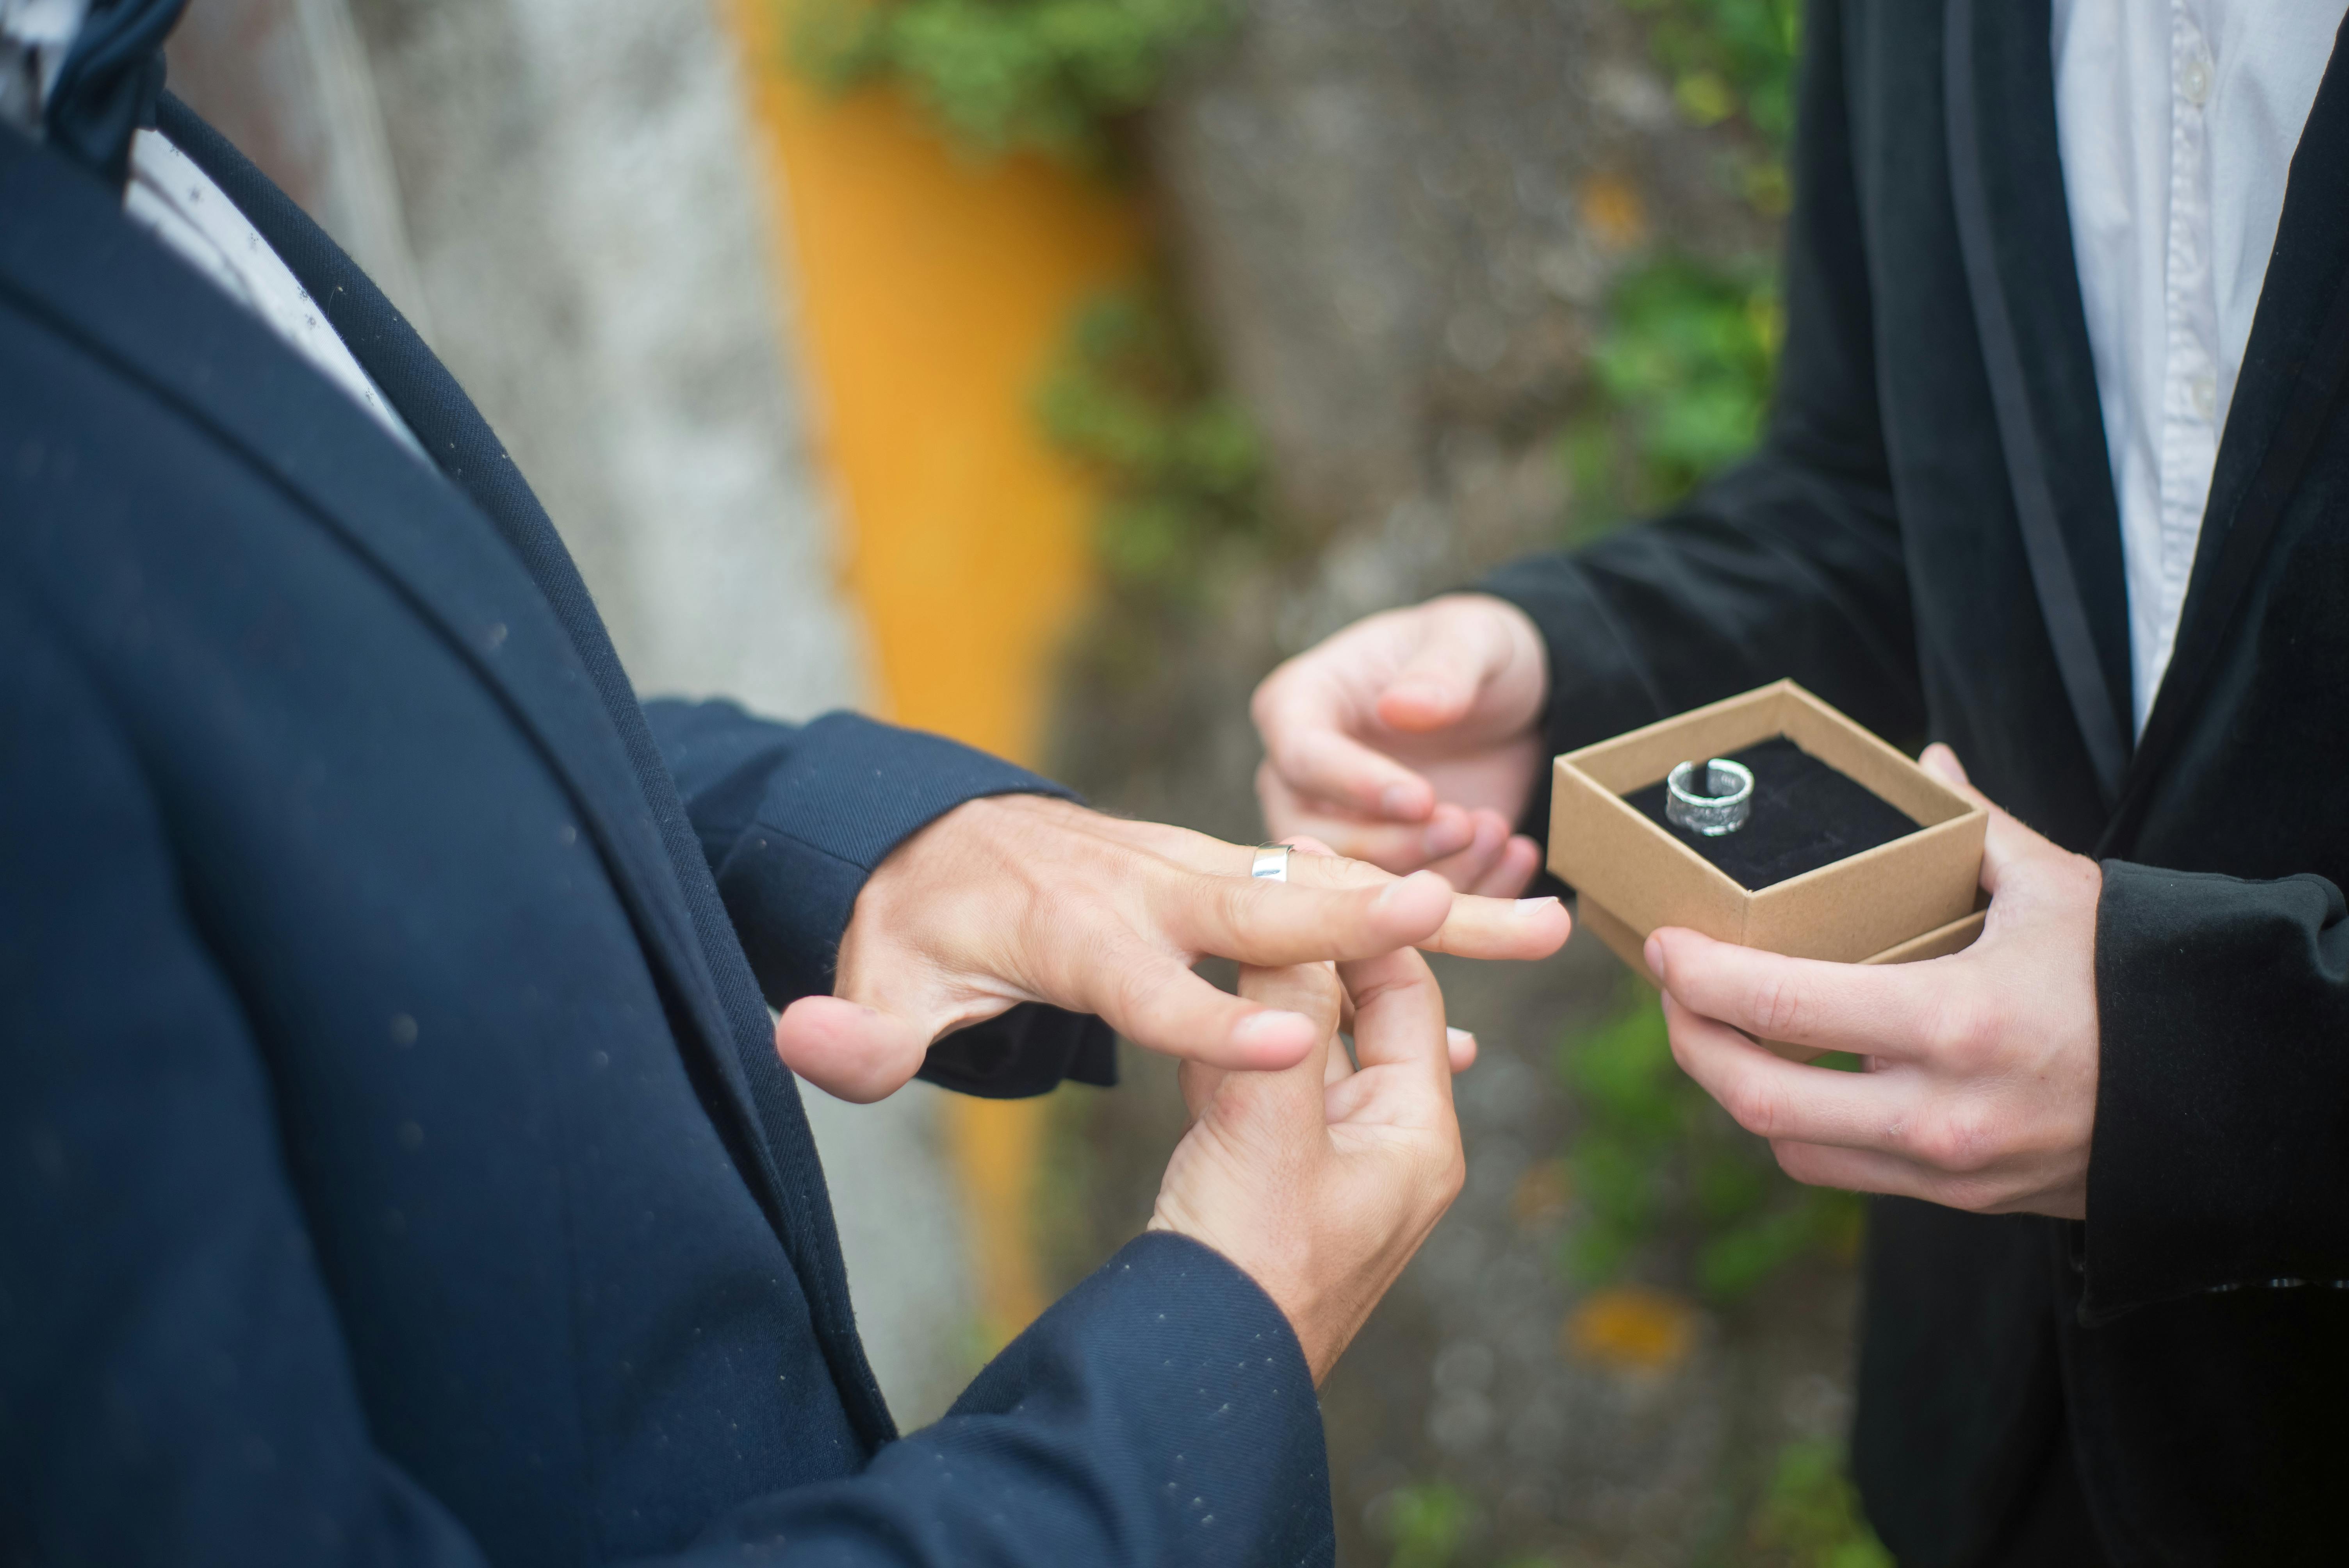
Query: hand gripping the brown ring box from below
x=1981, y=1086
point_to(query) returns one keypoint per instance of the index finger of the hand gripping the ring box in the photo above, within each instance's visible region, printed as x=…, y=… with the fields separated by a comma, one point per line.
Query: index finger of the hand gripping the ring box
x=1871, y=1011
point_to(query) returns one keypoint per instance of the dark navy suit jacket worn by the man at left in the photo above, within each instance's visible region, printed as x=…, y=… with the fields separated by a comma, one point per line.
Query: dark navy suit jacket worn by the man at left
x=393, y=1156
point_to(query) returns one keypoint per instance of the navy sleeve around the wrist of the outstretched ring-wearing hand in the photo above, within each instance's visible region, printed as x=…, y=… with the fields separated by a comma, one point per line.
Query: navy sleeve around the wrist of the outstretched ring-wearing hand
x=795, y=818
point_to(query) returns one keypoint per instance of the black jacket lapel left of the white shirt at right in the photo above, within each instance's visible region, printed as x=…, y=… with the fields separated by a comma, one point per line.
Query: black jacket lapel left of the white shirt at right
x=2017, y=238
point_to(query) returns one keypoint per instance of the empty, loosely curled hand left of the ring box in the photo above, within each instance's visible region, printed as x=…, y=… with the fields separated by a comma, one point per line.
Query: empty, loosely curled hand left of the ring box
x=1413, y=741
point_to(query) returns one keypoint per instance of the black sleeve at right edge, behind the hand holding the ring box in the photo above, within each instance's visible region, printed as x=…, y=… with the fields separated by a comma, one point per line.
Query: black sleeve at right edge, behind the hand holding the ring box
x=2223, y=1088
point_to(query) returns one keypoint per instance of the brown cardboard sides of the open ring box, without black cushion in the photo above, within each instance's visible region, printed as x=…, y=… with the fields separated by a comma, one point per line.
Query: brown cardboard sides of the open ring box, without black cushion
x=1899, y=903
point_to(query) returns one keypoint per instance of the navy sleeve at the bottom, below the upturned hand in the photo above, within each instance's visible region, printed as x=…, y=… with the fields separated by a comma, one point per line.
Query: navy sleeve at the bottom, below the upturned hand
x=1159, y=1414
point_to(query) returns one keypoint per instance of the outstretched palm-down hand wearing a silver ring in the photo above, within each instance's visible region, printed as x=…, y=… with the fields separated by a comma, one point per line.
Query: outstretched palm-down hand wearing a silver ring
x=1030, y=900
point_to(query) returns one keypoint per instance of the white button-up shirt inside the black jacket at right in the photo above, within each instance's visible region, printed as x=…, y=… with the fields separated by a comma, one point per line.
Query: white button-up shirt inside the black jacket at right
x=2179, y=121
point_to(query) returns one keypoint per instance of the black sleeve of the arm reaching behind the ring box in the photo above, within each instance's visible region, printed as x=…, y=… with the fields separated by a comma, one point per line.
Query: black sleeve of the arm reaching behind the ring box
x=1791, y=562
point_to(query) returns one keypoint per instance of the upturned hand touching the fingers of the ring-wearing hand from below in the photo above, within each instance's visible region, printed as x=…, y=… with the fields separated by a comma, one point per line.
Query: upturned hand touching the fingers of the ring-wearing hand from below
x=1324, y=1180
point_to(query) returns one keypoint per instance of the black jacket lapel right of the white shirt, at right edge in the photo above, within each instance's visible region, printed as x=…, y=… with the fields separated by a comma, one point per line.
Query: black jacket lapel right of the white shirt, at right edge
x=2294, y=370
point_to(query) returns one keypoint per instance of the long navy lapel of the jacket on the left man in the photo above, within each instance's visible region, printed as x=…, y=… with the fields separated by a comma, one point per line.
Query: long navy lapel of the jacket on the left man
x=86, y=271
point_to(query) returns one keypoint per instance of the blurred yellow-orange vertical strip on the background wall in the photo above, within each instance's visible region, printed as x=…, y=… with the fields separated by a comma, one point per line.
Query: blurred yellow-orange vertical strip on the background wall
x=929, y=299
